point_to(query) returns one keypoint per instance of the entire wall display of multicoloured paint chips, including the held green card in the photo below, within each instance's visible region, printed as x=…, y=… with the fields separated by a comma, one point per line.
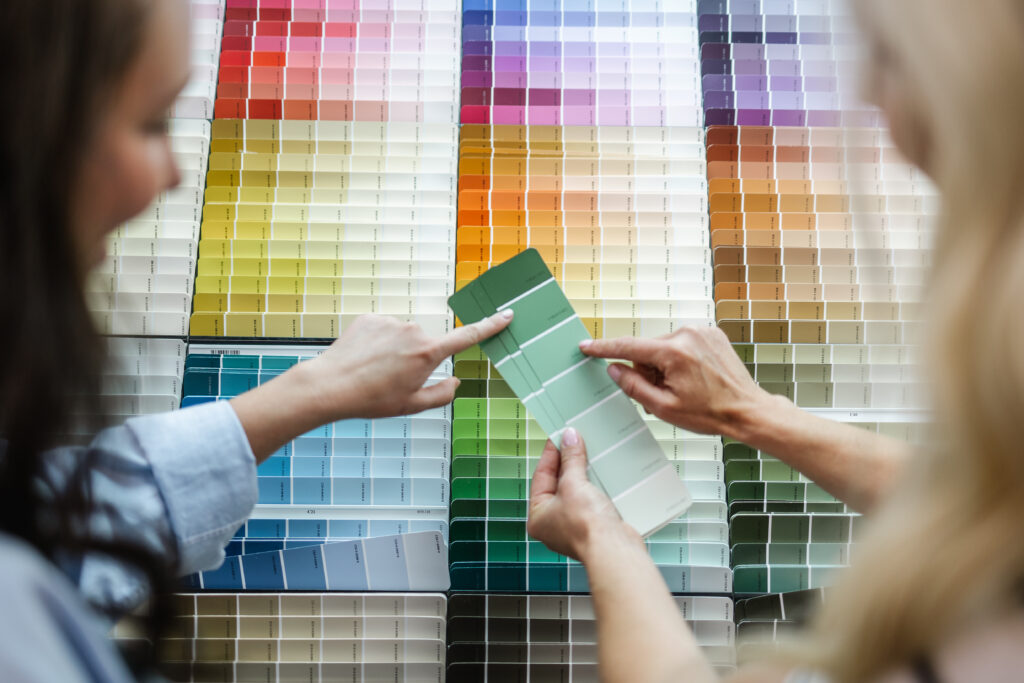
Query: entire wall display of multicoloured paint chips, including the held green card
x=660, y=165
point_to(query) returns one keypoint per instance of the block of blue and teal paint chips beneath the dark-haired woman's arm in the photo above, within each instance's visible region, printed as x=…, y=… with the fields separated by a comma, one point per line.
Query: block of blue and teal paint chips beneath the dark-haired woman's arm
x=353, y=505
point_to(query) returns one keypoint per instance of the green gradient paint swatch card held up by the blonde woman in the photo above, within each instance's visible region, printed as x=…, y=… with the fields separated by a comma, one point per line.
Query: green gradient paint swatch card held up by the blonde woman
x=539, y=358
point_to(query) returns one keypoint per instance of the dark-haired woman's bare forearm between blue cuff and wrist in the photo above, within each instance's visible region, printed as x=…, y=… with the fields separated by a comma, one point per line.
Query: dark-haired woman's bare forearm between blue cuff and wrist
x=281, y=410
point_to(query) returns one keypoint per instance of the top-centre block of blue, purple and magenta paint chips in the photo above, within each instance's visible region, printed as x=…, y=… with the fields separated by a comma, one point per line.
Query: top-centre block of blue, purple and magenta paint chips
x=581, y=63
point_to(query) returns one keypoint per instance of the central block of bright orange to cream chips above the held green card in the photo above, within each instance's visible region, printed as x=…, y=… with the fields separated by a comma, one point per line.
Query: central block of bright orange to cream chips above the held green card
x=618, y=214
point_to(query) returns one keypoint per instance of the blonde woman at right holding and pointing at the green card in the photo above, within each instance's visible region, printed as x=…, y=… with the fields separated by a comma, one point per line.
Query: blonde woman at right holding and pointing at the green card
x=935, y=591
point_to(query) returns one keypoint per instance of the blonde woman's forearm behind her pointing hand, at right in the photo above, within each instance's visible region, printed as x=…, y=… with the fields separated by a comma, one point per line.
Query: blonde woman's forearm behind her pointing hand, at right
x=852, y=464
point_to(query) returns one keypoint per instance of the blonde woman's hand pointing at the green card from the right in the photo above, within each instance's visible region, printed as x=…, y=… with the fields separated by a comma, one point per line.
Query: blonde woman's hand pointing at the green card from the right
x=692, y=378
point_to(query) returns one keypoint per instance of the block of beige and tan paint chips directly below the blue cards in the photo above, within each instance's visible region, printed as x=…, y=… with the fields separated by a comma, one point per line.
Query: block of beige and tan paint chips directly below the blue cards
x=310, y=637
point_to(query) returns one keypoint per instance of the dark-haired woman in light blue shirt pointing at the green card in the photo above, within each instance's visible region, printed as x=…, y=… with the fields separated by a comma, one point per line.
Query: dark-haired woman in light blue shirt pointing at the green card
x=83, y=141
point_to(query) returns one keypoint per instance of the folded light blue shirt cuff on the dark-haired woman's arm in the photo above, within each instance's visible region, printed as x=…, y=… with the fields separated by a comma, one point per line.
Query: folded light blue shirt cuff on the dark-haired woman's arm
x=206, y=473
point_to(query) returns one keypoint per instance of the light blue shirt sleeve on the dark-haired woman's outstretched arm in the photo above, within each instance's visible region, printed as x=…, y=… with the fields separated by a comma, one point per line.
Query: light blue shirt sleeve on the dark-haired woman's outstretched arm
x=187, y=474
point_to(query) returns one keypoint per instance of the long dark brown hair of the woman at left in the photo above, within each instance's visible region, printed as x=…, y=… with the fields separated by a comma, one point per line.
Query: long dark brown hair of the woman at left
x=62, y=62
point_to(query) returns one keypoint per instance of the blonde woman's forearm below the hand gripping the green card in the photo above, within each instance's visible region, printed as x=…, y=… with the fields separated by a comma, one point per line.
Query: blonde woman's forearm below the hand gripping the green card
x=642, y=634
